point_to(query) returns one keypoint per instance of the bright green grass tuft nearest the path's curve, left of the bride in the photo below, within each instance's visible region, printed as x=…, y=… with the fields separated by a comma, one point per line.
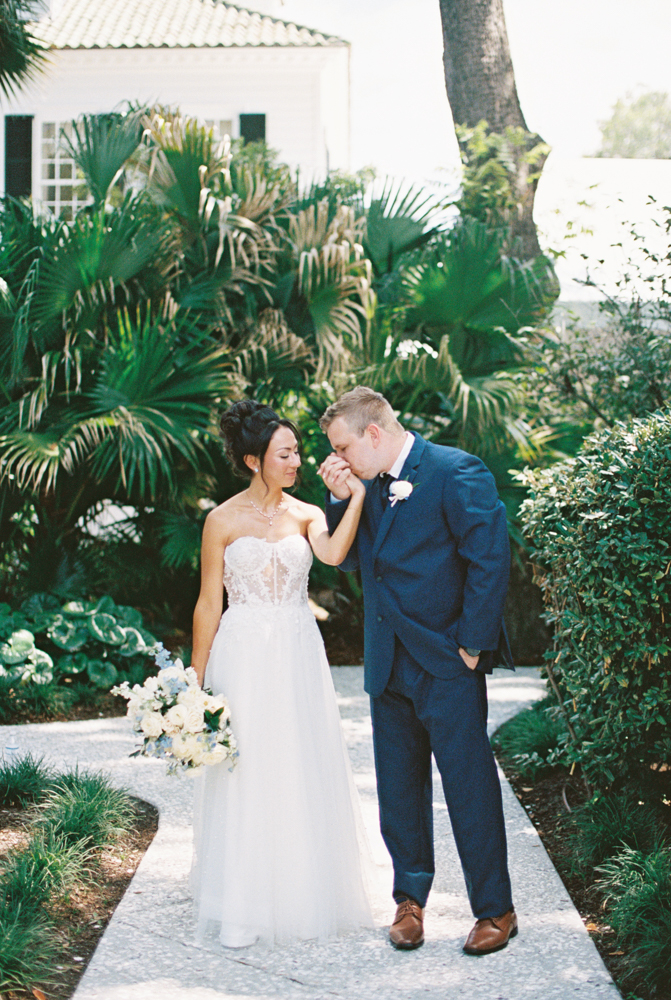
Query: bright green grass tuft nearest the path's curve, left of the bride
x=86, y=809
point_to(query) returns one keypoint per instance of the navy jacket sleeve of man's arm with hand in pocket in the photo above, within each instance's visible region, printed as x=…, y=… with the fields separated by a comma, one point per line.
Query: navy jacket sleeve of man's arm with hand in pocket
x=477, y=518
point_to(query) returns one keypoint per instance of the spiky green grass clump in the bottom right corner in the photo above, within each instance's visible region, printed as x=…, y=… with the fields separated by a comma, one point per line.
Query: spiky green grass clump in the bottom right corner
x=637, y=892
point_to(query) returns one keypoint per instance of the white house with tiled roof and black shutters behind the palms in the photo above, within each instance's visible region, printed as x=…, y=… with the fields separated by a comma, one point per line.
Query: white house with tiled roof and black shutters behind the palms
x=244, y=72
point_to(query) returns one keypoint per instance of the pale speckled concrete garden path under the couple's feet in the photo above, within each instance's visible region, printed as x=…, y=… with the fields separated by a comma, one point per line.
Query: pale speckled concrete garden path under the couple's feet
x=148, y=953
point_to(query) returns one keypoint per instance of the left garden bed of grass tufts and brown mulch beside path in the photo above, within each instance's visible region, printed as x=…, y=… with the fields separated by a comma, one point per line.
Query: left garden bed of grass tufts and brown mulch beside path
x=68, y=846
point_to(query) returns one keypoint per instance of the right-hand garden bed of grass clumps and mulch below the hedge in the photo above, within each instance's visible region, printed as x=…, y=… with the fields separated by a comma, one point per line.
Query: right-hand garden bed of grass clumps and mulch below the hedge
x=612, y=851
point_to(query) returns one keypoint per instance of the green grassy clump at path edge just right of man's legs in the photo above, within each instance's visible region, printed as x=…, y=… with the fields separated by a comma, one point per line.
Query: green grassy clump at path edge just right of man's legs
x=529, y=739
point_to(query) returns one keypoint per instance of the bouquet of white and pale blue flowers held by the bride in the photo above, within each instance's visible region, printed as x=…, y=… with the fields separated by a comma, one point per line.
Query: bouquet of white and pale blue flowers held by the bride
x=181, y=722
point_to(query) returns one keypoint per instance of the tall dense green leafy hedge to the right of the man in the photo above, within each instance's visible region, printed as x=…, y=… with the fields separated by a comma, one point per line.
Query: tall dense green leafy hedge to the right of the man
x=600, y=530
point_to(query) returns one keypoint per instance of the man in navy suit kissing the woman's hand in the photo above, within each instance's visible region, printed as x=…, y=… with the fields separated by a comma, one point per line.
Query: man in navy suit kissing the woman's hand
x=432, y=547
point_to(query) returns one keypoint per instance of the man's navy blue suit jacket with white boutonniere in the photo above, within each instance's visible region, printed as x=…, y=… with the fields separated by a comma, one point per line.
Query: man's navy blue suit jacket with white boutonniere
x=435, y=568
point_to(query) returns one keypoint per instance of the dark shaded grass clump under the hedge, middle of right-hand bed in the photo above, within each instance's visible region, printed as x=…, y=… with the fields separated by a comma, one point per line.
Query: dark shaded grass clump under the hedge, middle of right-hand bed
x=607, y=823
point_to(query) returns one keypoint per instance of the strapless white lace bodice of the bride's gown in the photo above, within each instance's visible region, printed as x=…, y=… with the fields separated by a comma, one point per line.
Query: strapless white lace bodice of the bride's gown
x=257, y=572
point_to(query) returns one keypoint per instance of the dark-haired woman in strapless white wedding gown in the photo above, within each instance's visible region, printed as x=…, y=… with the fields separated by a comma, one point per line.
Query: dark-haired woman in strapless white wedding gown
x=277, y=853
